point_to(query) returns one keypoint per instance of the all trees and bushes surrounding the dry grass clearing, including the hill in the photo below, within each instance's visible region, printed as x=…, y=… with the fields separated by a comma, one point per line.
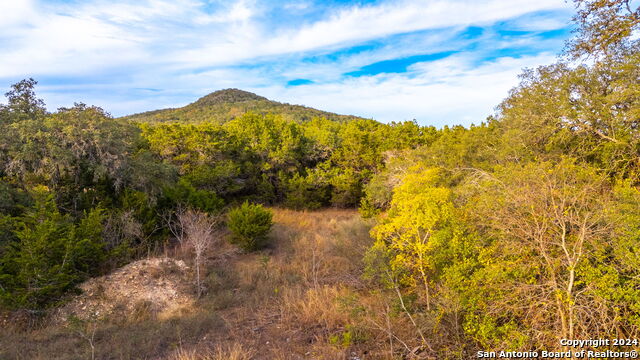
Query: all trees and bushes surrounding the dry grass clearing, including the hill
x=508, y=235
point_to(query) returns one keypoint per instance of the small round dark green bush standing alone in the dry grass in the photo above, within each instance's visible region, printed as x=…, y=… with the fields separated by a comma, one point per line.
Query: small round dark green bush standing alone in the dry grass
x=249, y=225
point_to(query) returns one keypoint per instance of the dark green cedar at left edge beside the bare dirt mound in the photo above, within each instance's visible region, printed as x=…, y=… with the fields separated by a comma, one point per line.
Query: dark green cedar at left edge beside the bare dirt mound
x=50, y=254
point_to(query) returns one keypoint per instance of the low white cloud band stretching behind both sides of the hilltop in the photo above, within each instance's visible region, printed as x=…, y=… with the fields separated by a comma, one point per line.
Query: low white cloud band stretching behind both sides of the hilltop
x=448, y=91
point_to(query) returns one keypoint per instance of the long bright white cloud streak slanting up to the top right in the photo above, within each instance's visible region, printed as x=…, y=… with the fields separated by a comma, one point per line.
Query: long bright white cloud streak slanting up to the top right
x=358, y=24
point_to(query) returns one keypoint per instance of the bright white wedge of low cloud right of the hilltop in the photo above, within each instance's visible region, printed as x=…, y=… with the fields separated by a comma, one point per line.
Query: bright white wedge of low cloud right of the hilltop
x=448, y=91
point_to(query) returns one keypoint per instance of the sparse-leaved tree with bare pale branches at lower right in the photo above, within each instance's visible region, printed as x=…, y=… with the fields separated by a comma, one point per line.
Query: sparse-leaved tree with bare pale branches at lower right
x=544, y=221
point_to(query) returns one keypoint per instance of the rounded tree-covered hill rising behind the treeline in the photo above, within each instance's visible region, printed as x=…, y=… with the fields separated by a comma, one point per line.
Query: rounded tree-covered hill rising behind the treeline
x=224, y=105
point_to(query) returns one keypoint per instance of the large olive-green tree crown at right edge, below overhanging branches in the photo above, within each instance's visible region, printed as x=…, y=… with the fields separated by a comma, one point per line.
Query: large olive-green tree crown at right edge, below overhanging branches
x=586, y=112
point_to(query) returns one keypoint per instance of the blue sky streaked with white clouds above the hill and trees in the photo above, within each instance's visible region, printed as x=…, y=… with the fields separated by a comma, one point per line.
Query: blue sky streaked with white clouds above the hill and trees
x=440, y=62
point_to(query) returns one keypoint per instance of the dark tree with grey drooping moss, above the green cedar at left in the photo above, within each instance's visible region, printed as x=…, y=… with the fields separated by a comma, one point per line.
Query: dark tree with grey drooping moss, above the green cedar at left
x=81, y=153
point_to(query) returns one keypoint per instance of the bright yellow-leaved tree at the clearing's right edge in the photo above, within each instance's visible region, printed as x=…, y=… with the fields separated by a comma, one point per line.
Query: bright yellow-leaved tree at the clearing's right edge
x=419, y=244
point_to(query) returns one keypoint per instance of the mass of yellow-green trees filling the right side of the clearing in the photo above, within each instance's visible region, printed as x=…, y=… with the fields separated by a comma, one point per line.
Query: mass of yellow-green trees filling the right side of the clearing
x=523, y=231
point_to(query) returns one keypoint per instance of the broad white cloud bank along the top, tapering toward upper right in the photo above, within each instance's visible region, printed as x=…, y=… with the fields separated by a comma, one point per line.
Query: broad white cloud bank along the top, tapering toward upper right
x=180, y=32
